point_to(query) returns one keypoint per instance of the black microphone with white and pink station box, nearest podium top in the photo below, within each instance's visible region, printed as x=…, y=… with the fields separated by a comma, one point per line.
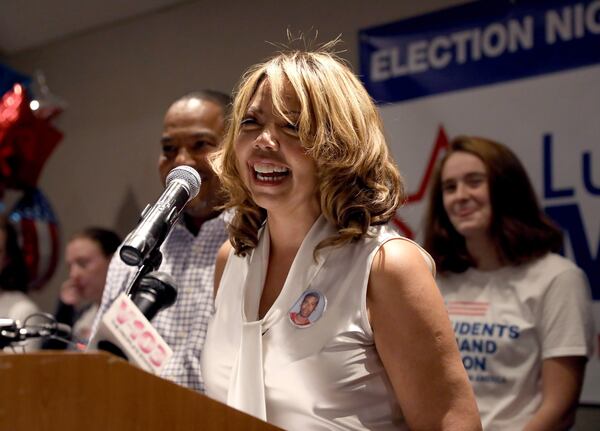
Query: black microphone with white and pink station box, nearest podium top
x=125, y=328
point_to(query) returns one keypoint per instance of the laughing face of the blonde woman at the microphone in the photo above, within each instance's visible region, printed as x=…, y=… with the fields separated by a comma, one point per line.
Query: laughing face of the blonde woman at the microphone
x=271, y=159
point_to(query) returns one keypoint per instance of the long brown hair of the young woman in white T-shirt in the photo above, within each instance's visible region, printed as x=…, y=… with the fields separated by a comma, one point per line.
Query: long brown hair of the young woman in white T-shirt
x=519, y=228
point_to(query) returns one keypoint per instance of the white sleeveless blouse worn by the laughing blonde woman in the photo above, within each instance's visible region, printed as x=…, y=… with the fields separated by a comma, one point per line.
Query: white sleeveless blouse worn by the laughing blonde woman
x=325, y=376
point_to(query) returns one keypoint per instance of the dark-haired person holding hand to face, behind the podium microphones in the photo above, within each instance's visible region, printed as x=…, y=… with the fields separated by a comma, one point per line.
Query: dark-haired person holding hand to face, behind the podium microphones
x=87, y=255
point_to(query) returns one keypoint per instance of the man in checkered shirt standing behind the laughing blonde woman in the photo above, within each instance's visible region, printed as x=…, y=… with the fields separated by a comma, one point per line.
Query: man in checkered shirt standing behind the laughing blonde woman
x=193, y=129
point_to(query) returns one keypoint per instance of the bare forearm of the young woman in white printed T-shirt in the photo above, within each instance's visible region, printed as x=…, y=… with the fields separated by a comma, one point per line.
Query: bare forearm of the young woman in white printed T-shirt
x=562, y=379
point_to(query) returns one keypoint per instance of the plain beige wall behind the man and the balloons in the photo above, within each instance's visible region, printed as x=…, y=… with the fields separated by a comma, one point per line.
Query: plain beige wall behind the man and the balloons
x=119, y=80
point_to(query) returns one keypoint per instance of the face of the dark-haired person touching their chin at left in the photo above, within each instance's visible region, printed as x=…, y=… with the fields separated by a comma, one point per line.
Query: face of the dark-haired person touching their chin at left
x=87, y=268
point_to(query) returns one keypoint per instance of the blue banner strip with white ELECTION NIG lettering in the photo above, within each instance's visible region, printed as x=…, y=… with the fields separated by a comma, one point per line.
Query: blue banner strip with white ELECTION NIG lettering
x=477, y=44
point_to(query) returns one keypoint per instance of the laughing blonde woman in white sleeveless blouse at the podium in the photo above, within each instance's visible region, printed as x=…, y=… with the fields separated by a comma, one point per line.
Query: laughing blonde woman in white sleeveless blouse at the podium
x=307, y=171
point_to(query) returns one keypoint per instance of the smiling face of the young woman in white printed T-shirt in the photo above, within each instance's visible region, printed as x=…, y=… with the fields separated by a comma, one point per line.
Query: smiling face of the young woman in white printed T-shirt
x=465, y=192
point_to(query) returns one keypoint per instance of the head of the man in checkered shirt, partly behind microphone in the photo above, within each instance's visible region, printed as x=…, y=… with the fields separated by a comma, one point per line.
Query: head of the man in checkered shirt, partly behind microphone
x=192, y=130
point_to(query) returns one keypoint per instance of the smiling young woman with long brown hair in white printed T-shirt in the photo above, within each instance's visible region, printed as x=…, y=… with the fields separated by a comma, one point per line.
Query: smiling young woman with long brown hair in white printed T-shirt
x=521, y=312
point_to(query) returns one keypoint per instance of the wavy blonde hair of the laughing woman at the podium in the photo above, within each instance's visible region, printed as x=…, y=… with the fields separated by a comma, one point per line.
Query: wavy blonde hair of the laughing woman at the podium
x=341, y=130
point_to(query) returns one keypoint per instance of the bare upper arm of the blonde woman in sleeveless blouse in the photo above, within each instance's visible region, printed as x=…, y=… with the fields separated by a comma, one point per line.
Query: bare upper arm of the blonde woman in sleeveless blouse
x=415, y=341
